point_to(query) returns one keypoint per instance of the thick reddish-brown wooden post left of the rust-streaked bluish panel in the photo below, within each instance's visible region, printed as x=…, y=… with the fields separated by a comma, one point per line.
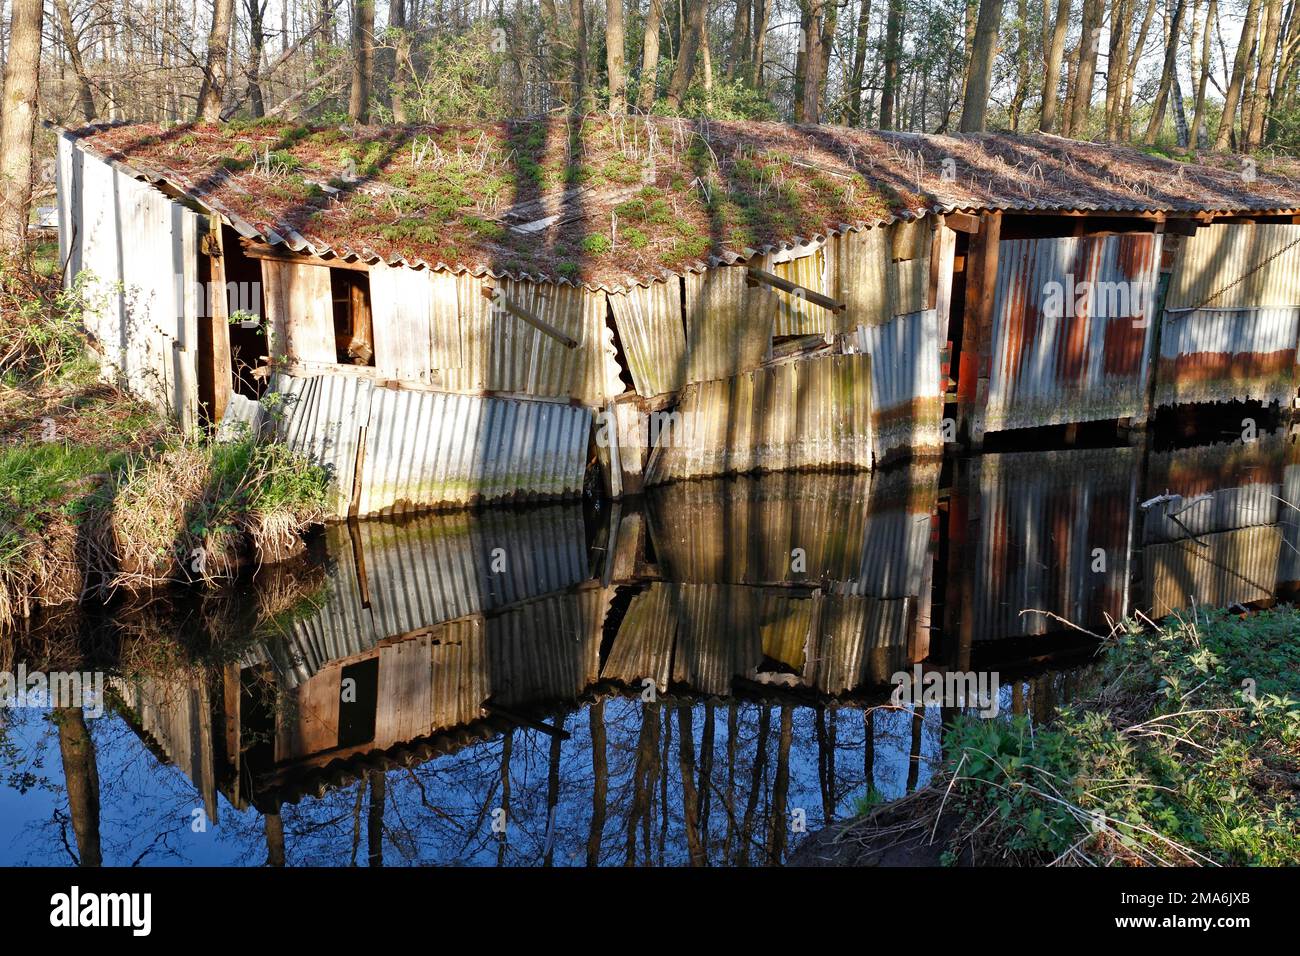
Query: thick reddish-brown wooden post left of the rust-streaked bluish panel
x=977, y=330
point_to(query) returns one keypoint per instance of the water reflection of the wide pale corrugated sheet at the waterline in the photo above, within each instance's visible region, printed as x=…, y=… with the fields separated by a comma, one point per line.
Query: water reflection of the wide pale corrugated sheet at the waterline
x=447, y=566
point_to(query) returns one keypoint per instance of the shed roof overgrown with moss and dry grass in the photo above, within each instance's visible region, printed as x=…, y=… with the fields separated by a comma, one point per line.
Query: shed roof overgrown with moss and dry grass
x=619, y=201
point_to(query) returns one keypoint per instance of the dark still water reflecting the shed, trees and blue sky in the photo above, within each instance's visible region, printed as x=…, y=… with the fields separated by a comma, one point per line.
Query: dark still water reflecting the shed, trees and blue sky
x=699, y=677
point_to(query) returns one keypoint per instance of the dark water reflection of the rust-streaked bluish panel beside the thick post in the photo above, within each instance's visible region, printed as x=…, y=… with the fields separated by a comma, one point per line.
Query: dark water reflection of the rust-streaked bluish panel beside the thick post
x=1055, y=533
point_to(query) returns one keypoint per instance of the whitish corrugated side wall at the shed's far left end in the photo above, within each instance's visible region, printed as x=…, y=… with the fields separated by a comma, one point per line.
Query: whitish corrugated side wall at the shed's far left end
x=142, y=253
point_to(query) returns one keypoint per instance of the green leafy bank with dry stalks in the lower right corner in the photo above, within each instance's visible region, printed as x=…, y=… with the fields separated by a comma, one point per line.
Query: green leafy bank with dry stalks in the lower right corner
x=1188, y=754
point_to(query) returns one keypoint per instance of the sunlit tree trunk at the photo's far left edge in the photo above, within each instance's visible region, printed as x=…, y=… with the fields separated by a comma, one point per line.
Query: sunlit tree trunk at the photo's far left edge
x=19, y=123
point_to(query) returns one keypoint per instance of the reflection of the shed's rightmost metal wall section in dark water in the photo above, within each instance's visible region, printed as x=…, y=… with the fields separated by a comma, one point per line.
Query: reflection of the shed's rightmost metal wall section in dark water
x=1219, y=538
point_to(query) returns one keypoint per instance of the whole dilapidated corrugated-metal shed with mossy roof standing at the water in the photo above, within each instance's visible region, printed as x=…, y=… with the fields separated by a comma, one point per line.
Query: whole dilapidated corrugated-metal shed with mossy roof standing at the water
x=480, y=313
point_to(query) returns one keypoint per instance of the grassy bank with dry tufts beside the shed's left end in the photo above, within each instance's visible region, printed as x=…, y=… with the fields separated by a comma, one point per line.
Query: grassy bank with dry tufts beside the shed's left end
x=101, y=492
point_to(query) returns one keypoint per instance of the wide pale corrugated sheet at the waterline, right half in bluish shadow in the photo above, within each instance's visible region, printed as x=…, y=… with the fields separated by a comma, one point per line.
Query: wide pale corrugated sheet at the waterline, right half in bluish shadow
x=431, y=449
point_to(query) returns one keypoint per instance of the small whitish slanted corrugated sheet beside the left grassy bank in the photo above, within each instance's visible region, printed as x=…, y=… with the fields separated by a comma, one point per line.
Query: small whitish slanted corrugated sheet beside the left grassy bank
x=322, y=418
